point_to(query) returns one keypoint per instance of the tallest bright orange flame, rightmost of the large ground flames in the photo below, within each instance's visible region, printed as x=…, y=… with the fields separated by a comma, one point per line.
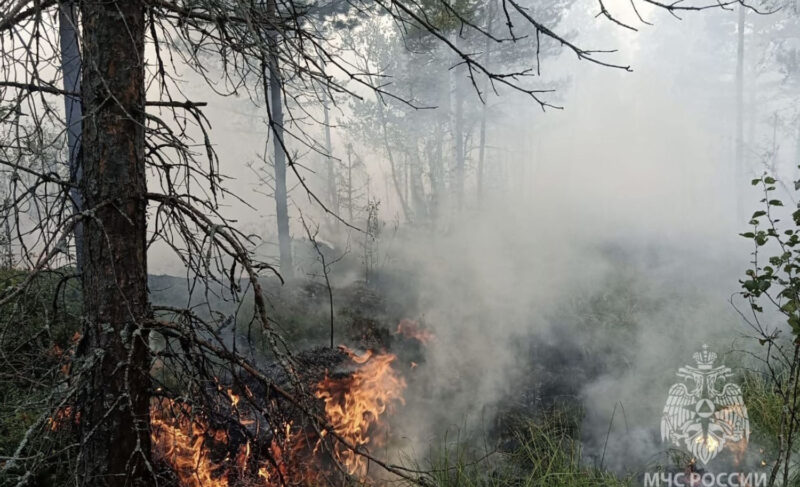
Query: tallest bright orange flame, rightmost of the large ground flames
x=354, y=404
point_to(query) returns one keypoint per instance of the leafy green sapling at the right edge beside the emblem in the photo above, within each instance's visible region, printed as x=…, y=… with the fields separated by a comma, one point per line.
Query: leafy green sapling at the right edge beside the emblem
x=773, y=401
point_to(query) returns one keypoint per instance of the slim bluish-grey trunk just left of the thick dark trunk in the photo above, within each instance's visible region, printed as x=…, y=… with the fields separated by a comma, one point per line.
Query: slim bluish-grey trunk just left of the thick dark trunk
x=71, y=69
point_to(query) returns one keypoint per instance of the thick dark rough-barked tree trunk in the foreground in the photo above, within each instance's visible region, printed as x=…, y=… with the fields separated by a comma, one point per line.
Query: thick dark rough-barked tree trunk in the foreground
x=114, y=403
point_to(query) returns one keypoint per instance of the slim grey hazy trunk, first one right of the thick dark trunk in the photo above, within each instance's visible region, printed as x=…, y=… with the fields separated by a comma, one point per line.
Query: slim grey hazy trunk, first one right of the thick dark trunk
x=276, y=123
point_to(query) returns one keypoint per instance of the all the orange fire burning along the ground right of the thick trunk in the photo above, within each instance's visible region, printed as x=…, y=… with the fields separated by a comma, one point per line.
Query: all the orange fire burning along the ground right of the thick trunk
x=355, y=405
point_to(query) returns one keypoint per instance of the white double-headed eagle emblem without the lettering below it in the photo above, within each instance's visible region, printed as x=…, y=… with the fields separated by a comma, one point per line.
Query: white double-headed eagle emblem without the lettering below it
x=705, y=410
